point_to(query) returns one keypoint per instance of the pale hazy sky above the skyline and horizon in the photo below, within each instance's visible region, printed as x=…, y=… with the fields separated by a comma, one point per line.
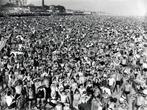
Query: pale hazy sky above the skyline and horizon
x=115, y=7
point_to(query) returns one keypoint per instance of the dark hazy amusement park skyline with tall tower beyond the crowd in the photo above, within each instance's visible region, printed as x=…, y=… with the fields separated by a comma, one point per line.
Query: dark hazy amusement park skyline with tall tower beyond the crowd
x=22, y=7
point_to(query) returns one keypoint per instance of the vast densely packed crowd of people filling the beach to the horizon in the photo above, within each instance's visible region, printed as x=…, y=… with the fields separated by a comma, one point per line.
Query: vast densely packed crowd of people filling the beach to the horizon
x=73, y=63
